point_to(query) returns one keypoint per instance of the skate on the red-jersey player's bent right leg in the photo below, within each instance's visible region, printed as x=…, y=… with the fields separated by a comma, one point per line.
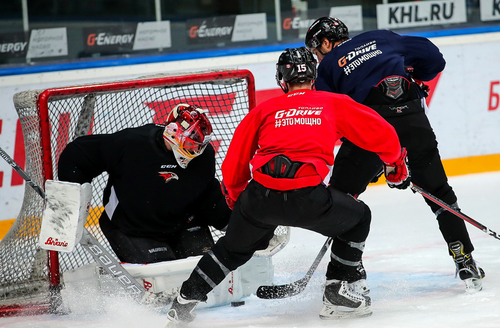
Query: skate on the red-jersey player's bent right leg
x=340, y=301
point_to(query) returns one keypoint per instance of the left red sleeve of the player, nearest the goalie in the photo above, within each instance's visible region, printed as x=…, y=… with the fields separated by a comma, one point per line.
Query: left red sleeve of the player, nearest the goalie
x=236, y=171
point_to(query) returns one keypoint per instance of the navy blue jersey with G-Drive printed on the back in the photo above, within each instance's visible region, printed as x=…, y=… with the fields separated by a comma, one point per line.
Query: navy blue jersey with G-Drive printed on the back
x=360, y=63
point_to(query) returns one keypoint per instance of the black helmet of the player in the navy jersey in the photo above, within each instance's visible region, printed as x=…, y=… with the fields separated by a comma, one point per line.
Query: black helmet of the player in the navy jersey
x=326, y=27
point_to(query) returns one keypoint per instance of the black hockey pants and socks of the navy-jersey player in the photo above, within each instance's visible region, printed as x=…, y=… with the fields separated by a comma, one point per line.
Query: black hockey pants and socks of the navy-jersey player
x=354, y=169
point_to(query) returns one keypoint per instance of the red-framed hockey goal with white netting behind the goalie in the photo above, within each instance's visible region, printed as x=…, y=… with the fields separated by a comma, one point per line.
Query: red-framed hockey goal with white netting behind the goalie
x=50, y=119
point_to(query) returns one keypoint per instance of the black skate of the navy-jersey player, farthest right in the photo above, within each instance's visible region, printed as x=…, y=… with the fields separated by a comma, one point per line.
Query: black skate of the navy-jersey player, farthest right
x=467, y=268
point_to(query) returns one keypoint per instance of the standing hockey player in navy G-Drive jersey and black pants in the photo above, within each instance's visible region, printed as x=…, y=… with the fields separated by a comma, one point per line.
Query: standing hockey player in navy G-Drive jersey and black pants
x=384, y=71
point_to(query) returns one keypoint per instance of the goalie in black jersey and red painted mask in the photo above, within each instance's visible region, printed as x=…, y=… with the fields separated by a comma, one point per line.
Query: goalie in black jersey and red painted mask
x=162, y=193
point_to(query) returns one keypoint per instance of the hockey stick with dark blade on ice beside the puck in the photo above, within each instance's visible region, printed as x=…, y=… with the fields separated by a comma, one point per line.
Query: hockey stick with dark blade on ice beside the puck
x=294, y=288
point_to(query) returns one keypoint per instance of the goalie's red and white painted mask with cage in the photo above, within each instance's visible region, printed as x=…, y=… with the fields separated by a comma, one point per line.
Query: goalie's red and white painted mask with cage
x=188, y=131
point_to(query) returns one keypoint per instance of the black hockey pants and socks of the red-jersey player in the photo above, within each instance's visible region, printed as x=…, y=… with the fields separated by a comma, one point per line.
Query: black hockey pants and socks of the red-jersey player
x=259, y=211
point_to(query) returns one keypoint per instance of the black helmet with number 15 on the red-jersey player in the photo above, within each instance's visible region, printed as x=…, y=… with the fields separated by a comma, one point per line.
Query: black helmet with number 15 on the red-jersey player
x=295, y=65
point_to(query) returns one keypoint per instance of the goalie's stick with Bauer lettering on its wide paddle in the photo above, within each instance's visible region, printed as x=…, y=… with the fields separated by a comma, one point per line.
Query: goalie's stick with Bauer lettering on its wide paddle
x=90, y=244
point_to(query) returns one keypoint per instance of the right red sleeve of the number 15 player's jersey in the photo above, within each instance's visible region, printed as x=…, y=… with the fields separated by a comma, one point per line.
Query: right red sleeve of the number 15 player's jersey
x=367, y=129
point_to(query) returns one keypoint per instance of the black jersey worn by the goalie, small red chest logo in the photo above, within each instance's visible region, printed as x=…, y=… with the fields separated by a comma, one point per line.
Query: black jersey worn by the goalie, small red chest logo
x=148, y=194
